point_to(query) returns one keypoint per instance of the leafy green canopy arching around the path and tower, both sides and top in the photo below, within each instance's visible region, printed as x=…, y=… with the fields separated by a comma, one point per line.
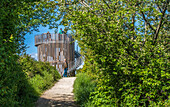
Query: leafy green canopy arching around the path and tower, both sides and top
x=125, y=44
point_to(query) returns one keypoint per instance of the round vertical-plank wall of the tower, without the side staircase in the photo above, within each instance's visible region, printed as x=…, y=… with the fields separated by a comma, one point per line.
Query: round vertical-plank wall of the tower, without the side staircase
x=55, y=50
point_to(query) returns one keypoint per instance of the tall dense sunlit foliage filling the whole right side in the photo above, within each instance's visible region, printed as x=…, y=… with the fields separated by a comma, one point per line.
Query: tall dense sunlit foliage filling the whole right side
x=126, y=46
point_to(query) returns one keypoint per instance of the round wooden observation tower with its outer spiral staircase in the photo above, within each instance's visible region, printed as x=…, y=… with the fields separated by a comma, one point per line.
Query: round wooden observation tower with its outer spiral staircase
x=54, y=48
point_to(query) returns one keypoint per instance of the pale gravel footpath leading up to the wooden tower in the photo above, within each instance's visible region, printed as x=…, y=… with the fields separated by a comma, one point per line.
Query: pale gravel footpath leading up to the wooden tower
x=60, y=95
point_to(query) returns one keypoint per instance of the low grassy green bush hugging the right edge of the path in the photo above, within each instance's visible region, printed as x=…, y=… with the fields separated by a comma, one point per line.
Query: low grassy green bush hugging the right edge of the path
x=83, y=86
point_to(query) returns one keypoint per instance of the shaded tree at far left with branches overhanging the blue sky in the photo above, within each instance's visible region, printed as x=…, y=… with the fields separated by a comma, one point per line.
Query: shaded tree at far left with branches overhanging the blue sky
x=18, y=17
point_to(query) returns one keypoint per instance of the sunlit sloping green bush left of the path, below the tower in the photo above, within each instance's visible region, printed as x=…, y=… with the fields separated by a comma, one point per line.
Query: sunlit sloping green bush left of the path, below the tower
x=40, y=75
